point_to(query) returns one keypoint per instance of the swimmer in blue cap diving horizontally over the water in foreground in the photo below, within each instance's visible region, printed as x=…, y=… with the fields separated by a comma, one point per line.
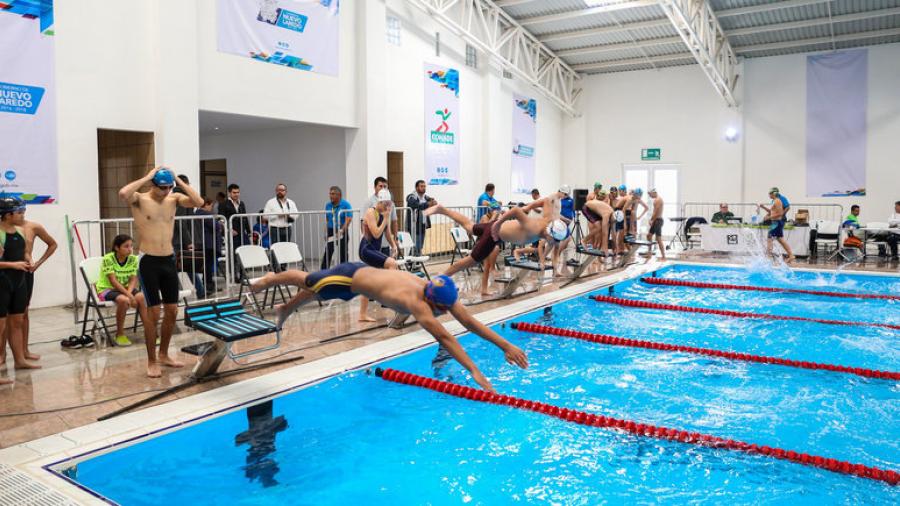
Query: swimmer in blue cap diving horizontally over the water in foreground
x=400, y=291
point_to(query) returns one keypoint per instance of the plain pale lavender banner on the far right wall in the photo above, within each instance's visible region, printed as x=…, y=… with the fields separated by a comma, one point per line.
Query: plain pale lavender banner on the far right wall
x=836, y=102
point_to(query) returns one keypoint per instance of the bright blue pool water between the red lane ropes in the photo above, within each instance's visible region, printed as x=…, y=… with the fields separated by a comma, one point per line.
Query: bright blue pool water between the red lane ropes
x=358, y=438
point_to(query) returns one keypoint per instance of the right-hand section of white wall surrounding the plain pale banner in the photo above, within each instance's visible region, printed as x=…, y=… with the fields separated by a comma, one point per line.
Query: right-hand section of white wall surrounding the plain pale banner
x=775, y=117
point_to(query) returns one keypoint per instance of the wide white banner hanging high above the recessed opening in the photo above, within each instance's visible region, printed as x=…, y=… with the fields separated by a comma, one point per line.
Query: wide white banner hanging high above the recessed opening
x=301, y=34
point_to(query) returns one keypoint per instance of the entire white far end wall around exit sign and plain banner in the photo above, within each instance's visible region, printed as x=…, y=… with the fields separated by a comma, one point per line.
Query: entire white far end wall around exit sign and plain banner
x=678, y=111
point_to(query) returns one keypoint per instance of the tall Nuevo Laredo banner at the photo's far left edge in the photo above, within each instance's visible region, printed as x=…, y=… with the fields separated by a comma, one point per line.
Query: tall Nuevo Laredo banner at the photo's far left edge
x=27, y=101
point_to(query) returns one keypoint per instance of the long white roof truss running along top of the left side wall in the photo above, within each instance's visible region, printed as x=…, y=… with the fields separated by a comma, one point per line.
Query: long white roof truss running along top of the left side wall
x=484, y=25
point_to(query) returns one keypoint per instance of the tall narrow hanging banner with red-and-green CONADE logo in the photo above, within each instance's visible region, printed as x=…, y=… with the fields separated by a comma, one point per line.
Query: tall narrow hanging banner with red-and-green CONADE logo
x=441, y=125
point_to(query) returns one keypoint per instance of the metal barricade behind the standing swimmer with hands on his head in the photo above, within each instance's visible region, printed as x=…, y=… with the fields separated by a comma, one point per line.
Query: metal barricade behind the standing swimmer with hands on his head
x=197, y=240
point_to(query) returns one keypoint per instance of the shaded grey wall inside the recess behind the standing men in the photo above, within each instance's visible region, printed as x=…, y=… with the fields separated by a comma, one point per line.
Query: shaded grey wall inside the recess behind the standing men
x=308, y=159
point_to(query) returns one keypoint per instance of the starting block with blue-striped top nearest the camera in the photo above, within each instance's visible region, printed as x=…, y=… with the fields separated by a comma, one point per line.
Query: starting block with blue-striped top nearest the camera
x=228, y=322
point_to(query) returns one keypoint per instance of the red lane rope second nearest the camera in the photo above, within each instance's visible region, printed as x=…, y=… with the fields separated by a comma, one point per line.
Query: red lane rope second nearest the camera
x=651, y=345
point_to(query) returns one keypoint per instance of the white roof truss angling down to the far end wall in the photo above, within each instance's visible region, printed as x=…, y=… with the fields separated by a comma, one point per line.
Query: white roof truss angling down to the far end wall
x=696, y=23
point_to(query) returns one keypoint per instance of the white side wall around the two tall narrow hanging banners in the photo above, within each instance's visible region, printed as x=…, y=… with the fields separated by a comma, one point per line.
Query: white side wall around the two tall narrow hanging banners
x=486, y=109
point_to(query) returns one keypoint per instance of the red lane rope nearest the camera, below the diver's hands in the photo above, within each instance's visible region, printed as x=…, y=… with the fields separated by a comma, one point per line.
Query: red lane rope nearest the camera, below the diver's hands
x=639, y=429
